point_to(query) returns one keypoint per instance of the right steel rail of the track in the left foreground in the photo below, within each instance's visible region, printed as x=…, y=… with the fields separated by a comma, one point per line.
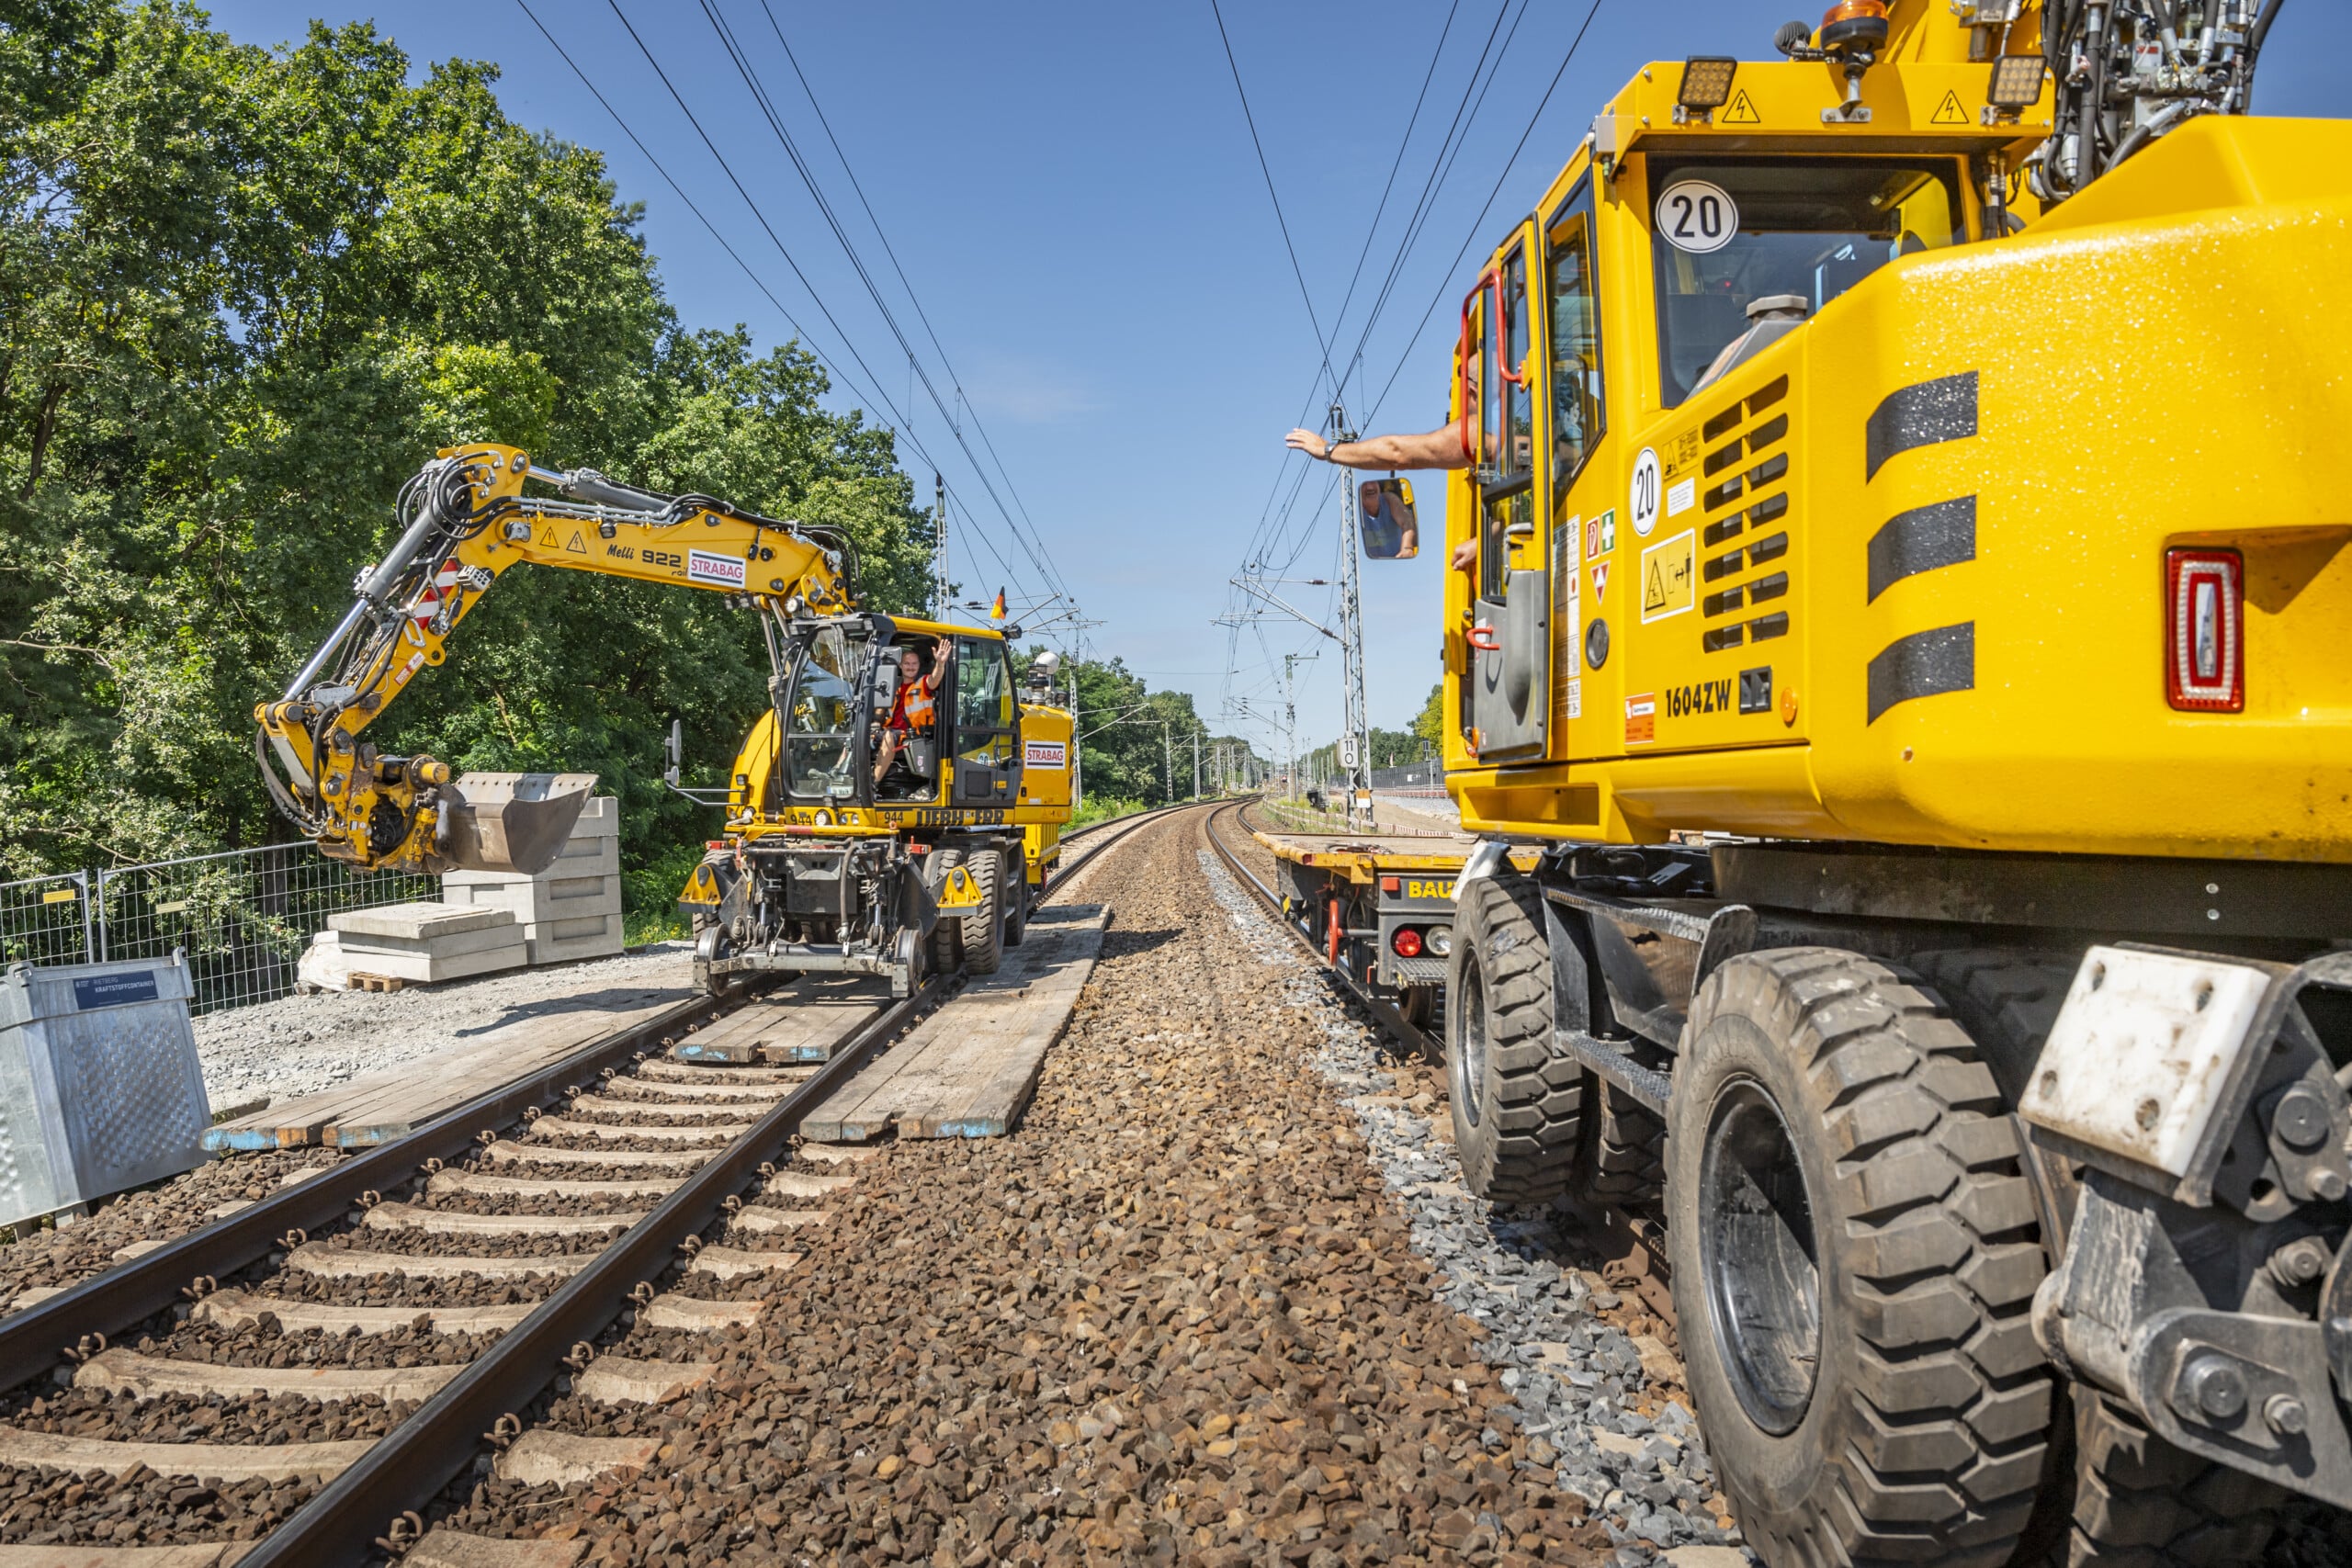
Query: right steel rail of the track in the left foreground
x=417, y=1459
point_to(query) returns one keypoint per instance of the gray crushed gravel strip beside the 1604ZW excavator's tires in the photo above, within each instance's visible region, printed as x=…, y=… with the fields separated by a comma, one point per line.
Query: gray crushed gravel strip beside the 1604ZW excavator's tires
x=1610, y=1419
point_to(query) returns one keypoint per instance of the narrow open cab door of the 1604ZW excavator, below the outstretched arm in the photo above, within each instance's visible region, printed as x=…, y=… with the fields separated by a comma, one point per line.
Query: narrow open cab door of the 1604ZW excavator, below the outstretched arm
x=1511, y=617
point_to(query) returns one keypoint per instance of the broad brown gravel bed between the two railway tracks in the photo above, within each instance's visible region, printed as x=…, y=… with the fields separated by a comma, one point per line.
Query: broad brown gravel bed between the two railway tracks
x=1187, y=1313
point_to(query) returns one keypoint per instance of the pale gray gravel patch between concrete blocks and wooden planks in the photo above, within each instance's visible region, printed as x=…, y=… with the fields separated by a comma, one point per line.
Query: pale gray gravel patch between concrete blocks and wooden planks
x=302, y=1045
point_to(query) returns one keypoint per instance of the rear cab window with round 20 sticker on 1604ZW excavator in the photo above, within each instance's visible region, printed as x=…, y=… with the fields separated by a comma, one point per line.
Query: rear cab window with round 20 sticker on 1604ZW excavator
x=1728, y=234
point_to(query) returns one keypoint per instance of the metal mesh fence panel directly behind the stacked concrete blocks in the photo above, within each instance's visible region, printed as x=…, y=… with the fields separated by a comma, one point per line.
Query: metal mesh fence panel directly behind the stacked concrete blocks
x=243, y=916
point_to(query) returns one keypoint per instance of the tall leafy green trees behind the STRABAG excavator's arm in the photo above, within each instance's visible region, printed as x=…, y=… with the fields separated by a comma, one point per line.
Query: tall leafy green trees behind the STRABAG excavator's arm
x=246, y=295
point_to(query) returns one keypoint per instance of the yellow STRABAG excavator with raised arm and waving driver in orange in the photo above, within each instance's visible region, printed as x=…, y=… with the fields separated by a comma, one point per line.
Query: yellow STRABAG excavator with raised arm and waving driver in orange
x=860, y=838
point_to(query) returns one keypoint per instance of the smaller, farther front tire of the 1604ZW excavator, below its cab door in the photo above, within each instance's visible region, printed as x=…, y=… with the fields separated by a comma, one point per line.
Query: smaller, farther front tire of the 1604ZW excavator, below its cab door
x=1516, y=1104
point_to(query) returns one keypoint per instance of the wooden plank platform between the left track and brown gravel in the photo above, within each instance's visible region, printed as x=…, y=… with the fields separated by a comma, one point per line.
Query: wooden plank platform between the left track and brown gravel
x=970, y=1068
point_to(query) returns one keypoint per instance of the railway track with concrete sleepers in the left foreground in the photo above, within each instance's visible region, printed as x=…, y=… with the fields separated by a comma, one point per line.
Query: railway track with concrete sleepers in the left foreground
x=314, y=1393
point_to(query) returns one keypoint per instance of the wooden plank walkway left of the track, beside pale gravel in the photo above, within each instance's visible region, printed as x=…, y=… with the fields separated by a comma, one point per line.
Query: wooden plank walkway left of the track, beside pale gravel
x=394, y=1104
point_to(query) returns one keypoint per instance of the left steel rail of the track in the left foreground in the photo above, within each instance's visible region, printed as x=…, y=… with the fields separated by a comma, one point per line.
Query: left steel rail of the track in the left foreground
x=32, y=1343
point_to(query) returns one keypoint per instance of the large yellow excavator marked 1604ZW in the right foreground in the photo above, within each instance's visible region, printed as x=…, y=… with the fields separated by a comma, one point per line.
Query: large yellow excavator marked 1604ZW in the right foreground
x=1913, y=577
